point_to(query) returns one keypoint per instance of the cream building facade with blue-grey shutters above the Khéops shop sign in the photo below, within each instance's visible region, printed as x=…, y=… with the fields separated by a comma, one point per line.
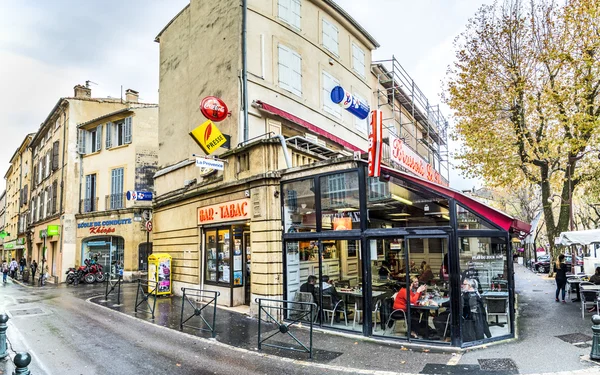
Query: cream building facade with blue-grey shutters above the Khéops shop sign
x=118, y=153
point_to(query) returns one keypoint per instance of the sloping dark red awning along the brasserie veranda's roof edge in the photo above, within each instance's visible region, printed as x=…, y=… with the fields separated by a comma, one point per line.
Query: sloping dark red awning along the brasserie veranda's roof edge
x=497, y=217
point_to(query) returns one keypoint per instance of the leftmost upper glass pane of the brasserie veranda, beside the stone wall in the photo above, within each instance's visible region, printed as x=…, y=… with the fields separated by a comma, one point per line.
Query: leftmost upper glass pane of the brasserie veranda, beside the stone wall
x=299, y=206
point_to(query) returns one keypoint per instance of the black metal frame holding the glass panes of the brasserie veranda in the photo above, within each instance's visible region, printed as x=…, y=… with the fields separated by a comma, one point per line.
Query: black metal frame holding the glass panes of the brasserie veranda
x=364, y=235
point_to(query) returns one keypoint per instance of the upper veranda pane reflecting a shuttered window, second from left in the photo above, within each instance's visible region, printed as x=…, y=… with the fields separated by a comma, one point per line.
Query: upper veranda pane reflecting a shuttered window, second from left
x=340, y=201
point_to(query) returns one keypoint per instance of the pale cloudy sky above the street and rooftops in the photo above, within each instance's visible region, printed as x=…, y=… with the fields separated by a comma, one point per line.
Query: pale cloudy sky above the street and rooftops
x=49, y=46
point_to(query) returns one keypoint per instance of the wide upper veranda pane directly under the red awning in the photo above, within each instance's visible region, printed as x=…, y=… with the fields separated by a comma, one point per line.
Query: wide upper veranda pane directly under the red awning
x=396, y=203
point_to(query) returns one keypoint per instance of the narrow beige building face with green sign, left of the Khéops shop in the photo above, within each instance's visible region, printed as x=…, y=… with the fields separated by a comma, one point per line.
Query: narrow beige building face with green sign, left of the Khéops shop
x=56, y=168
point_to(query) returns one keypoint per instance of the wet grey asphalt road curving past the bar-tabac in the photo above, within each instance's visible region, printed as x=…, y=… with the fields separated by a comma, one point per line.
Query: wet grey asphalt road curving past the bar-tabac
x=67, y=335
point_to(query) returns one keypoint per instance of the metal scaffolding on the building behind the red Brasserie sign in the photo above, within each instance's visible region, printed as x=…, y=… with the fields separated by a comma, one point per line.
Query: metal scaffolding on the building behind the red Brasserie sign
x=410, y=116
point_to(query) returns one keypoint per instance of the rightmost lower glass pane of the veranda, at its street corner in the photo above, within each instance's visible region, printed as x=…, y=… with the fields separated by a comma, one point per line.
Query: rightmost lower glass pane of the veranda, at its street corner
x=485, y=295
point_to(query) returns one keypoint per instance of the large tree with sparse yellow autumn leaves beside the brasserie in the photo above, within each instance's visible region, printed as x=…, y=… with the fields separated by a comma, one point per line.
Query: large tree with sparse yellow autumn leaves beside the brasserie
x=525, y=91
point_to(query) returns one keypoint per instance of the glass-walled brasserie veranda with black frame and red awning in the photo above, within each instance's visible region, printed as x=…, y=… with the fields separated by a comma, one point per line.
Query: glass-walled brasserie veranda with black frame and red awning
x=372, y=236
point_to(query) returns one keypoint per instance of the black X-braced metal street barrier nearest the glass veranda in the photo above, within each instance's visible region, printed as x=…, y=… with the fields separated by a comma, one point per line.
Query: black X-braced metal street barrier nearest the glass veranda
x=285, y=328
